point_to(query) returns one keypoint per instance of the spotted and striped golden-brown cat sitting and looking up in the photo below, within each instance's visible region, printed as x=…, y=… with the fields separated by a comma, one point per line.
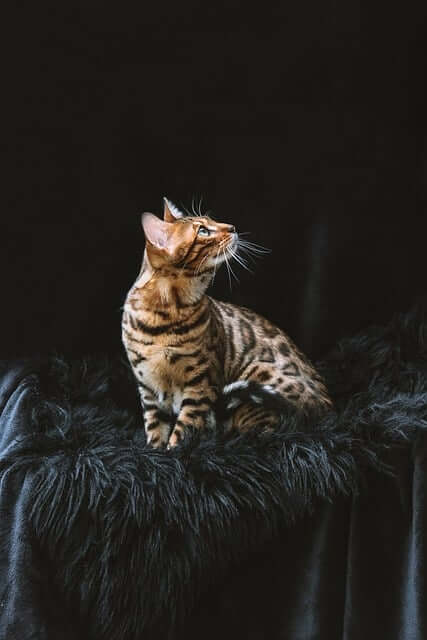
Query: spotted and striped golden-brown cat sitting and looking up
x=187, y=349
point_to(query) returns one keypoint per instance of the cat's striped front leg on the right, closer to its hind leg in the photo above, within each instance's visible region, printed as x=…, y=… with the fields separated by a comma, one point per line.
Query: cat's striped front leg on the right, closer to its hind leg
x=197, y=411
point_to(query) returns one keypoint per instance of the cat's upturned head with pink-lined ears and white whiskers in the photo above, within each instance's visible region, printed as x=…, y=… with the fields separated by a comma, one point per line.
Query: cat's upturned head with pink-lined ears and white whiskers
x=197, y=244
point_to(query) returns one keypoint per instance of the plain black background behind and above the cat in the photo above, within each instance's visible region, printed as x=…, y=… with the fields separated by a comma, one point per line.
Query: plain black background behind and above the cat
x=304, y=124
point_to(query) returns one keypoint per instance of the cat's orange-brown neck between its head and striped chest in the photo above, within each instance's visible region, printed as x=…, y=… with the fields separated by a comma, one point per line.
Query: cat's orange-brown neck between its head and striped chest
x=167, y=289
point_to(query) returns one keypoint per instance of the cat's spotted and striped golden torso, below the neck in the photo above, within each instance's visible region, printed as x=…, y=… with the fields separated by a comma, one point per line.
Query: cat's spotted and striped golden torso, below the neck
x=192, y=351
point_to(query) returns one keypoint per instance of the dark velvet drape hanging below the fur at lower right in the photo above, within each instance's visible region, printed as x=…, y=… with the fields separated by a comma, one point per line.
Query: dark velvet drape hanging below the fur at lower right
x=356, y=569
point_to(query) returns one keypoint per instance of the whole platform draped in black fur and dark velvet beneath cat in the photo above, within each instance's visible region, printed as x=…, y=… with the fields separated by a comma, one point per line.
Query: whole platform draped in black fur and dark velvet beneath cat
x=305, y=534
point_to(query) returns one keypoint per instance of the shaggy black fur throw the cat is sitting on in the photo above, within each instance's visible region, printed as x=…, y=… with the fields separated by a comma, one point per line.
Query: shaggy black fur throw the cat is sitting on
x=132, y=536
